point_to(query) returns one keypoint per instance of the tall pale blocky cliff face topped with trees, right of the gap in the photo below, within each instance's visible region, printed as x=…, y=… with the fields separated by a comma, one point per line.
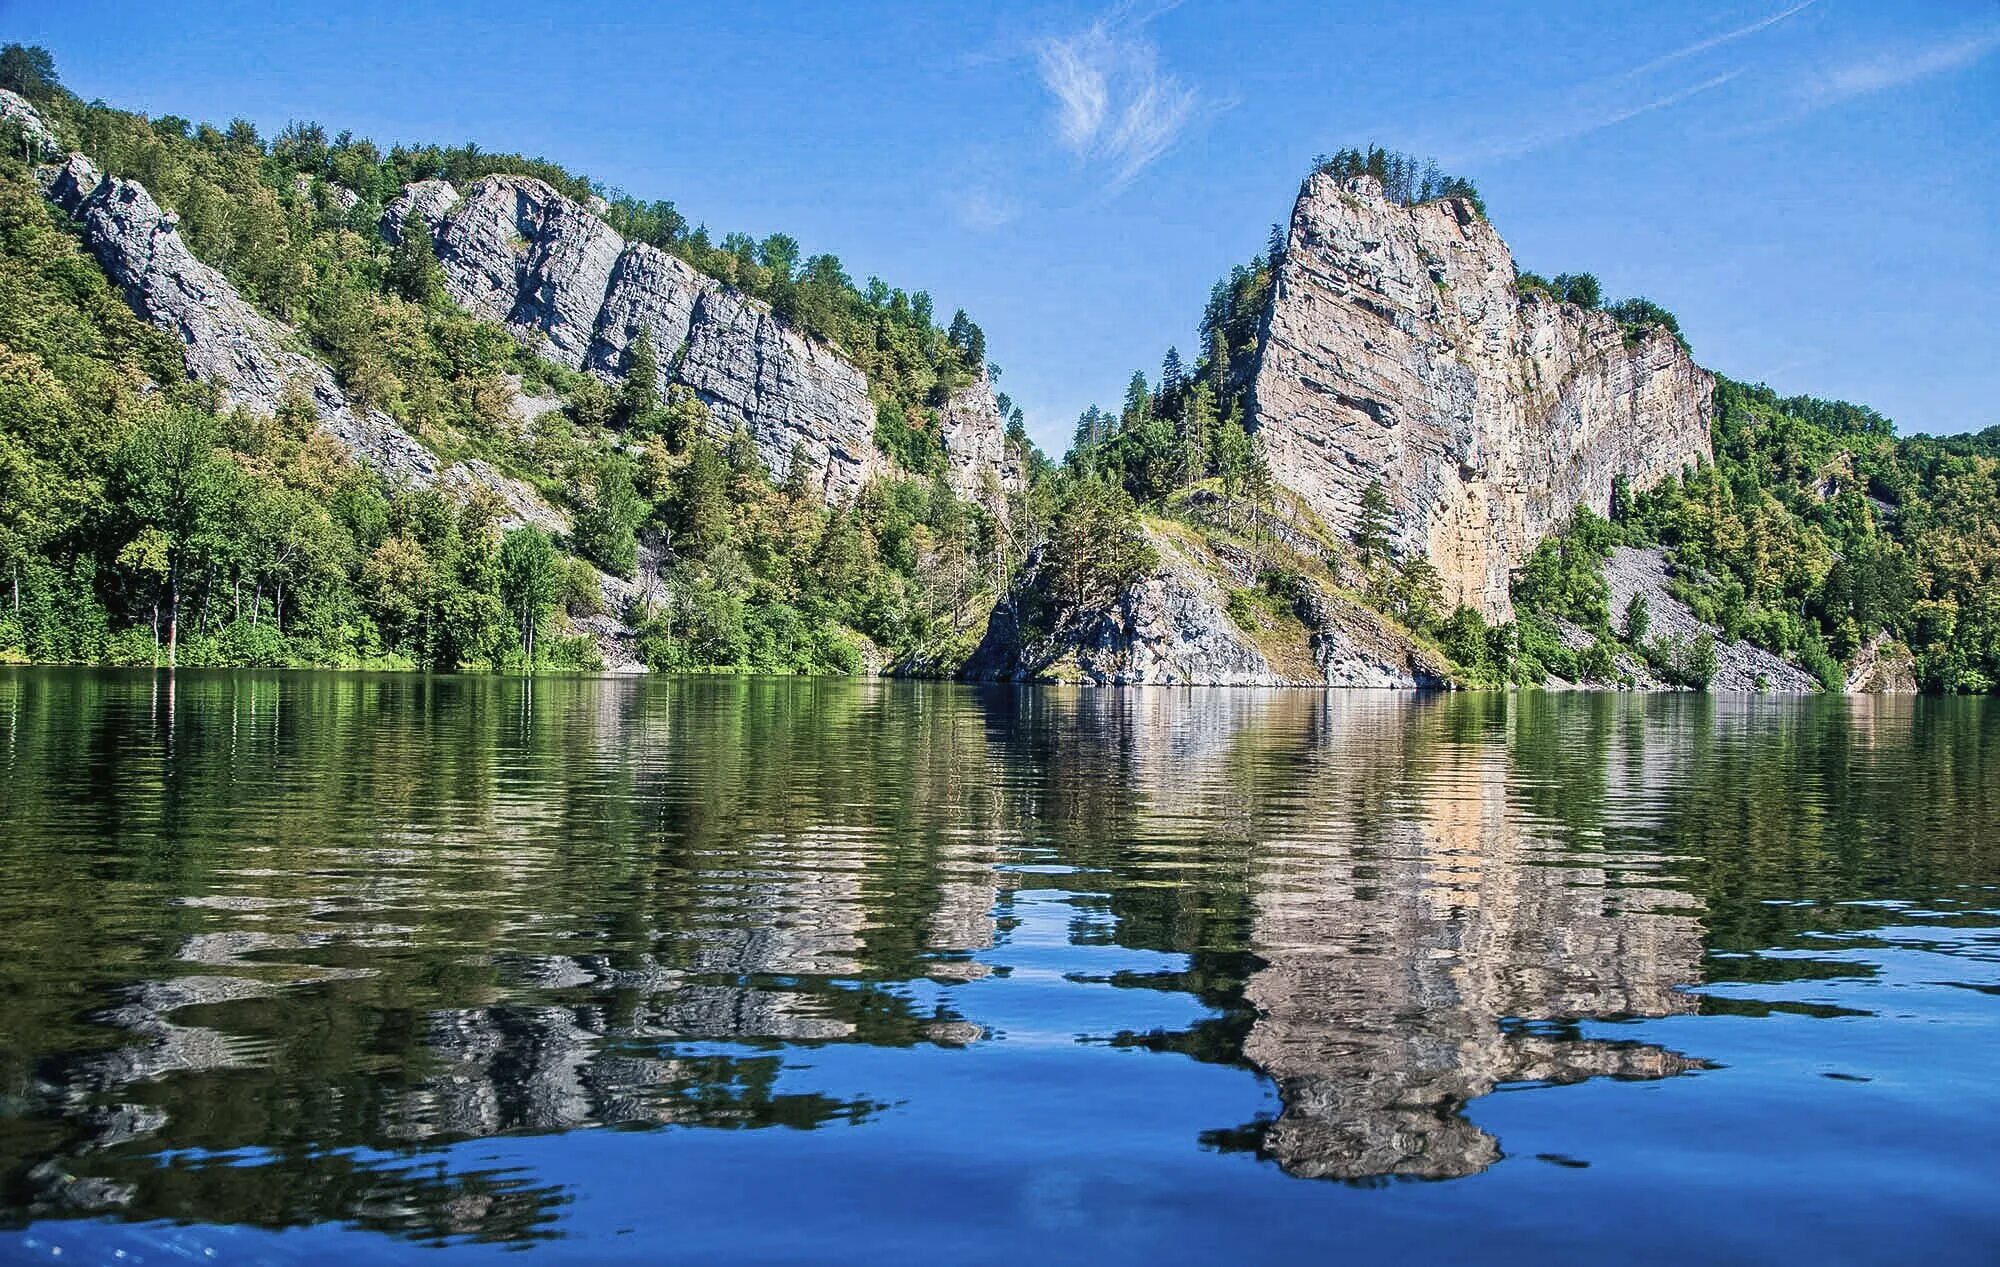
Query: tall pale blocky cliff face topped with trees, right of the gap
x=1397, y=351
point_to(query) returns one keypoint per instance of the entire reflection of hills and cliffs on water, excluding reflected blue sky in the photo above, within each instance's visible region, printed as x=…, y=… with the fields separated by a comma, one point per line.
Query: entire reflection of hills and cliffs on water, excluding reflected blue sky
x=263, y=936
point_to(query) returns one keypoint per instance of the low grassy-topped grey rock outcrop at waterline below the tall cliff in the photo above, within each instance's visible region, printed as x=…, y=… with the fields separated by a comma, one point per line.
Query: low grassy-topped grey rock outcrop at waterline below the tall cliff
x=1177, y=629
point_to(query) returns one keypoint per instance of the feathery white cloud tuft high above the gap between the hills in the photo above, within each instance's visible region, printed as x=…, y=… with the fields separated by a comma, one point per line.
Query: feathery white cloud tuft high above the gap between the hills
x=1115, y=105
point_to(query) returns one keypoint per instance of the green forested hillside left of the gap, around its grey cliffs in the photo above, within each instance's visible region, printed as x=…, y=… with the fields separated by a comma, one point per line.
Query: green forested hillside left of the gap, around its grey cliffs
x=141, y=523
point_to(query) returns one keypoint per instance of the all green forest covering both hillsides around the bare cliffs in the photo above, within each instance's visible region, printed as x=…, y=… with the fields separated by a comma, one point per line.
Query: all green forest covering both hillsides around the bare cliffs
x=141, y=523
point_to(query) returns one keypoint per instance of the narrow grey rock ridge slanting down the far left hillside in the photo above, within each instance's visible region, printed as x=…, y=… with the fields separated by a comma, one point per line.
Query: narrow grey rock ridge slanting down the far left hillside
x=227, y=343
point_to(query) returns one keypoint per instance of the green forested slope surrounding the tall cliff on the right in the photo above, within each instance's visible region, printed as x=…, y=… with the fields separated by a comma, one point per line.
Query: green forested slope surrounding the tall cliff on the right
x=1817, y=533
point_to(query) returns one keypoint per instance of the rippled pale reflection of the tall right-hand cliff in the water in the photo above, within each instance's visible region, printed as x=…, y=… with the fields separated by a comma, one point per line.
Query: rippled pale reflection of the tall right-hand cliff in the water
x=1415, y=936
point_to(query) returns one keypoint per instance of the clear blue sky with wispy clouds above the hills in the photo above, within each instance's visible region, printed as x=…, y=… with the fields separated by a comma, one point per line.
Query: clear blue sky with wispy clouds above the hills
x=1811, y=187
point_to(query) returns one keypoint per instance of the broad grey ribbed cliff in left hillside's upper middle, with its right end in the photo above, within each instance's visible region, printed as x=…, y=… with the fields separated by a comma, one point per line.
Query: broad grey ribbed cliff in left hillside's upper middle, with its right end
x=569, y=287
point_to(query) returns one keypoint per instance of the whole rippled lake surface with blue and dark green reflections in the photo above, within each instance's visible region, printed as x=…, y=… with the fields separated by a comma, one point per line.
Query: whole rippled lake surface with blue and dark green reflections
x=711, y=970
